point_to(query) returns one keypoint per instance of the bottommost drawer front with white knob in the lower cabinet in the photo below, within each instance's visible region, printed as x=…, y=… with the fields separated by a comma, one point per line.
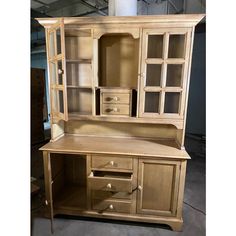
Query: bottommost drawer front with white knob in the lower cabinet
x=111, y=206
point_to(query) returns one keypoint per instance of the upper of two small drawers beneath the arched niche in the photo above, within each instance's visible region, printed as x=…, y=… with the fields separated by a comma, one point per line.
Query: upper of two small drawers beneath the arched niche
x=120, y=98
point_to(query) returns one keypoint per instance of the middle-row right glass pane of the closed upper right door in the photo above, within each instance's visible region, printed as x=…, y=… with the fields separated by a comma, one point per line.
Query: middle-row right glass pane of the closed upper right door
x=174, y=74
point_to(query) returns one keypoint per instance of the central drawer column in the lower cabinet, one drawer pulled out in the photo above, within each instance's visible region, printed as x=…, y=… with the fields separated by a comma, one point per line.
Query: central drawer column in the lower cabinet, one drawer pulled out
x=112, y=184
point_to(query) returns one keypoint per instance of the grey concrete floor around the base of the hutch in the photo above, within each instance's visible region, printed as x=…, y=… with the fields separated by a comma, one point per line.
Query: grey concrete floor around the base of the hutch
x=193, y=210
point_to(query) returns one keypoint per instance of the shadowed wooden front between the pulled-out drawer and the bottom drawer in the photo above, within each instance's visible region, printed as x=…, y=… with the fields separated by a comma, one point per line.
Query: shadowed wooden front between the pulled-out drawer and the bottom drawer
x=97, y=194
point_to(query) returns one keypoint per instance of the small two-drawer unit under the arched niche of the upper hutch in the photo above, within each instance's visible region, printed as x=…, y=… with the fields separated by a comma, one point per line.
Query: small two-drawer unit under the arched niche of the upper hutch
x=116, y=101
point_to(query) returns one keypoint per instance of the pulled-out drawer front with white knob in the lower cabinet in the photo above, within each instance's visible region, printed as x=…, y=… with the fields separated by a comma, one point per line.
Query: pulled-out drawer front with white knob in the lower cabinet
x=110, y=184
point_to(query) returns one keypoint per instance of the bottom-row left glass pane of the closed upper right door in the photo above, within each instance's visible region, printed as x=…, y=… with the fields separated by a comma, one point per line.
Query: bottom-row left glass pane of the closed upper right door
x=151, y=102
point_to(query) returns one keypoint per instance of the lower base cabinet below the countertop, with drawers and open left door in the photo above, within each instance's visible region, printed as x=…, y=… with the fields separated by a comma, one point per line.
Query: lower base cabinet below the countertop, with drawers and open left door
x=144, y=189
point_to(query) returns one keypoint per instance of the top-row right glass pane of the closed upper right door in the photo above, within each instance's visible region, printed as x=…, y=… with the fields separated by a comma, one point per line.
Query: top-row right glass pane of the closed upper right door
x=176, y=46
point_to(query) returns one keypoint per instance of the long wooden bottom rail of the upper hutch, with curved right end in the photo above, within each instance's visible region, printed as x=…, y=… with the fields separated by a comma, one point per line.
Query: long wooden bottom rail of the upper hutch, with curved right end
x=178, y=123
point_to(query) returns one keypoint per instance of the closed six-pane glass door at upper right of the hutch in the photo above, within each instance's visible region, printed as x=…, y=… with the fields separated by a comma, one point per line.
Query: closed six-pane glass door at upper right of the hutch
x=164, y=72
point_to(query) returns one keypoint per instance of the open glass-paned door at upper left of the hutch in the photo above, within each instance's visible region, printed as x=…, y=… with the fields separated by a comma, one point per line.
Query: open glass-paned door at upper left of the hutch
x=57, y=71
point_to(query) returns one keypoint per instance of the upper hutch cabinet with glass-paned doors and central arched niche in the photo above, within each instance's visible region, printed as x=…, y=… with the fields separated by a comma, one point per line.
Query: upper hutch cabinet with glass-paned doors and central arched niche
x=142, y=58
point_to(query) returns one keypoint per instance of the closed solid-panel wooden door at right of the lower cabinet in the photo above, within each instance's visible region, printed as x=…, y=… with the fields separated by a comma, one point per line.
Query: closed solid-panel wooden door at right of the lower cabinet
x=158, y=187
